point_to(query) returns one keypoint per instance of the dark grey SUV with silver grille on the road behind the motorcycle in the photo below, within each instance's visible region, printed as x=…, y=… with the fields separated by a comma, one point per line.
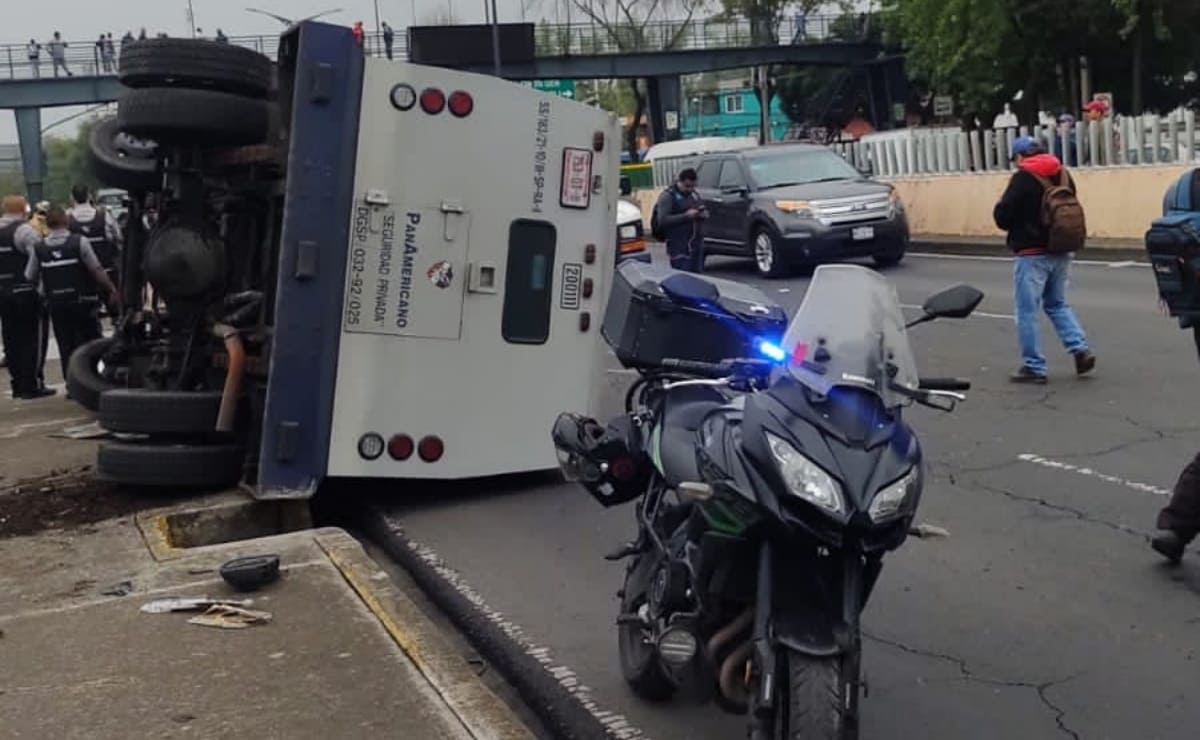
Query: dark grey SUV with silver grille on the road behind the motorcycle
x=797, y=203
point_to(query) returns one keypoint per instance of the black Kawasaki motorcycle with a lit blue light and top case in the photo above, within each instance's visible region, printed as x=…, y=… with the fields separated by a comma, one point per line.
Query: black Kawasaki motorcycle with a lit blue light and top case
x=771, y=482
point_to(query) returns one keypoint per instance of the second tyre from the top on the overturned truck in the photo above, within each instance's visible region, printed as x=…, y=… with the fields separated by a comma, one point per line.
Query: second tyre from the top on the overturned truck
x=176, y=116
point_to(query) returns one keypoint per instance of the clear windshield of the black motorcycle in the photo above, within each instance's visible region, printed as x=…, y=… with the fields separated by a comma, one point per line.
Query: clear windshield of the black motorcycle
x=850, y=332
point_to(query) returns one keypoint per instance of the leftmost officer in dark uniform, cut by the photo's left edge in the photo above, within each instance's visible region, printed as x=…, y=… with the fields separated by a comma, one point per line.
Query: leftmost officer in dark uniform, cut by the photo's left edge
x=20, y=306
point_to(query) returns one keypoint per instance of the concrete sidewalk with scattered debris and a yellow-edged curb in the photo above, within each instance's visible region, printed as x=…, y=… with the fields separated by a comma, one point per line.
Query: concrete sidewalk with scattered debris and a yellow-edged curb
x=345, y=655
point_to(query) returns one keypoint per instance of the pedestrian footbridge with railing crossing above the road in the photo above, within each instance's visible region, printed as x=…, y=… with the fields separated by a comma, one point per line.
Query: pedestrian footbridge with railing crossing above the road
x=657, y=52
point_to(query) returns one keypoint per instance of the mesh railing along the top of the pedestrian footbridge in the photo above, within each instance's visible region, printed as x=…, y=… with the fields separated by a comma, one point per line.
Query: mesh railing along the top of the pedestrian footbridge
x=86, y=58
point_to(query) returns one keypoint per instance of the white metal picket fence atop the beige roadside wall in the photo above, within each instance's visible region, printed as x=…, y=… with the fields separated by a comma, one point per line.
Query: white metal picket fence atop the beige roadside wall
x=1126, y=141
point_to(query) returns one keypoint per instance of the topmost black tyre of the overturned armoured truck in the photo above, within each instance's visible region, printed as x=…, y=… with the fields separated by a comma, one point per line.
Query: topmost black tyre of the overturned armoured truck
x=197, y=64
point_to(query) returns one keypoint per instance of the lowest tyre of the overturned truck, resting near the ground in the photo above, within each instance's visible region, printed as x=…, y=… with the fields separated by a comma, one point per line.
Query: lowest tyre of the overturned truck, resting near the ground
x=171, y=465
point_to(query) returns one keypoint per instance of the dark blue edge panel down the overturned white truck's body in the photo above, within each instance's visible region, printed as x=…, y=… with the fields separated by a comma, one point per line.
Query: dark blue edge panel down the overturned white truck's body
x=325, y=125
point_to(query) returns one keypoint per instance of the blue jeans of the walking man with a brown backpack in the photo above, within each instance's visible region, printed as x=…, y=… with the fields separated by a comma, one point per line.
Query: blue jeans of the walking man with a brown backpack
x=1042, y=285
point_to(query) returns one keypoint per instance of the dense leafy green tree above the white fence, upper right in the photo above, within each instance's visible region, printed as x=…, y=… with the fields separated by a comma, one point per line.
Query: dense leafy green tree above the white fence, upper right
x=983, y=52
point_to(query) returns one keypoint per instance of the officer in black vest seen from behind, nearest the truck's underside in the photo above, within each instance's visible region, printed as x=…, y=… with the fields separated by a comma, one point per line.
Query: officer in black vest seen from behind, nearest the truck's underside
x=70, y=274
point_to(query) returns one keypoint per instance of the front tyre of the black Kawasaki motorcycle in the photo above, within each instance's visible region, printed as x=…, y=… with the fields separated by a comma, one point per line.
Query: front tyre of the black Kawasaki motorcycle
x=818, y=701
